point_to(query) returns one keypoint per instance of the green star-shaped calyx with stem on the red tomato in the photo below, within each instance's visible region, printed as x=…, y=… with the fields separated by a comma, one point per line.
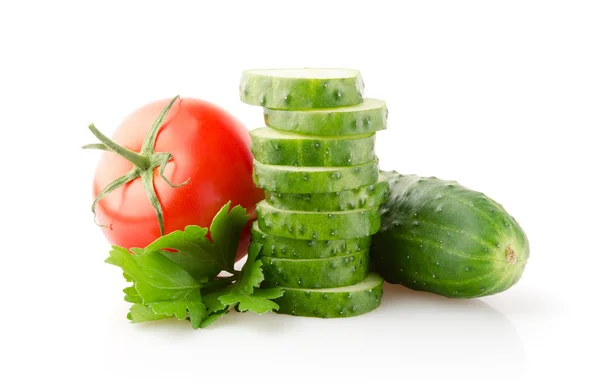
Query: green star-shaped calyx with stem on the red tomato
x=144, y=163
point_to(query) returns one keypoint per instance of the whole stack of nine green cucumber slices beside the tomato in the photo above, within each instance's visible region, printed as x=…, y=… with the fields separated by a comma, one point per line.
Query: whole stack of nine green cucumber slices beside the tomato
x=316, y=162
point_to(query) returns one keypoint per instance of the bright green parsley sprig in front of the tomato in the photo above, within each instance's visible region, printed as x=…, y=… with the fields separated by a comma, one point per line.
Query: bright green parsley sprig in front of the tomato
x=177, y=275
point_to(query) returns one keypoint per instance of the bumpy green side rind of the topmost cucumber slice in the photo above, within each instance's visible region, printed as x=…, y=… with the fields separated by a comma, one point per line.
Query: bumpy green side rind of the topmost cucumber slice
x=299, y=94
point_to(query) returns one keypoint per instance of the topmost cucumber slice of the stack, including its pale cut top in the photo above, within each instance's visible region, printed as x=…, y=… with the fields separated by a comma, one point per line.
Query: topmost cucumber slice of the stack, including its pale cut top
x=306, y=88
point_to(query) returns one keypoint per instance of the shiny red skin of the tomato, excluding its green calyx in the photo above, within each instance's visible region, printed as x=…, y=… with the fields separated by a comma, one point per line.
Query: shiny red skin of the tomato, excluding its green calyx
x=210, y=147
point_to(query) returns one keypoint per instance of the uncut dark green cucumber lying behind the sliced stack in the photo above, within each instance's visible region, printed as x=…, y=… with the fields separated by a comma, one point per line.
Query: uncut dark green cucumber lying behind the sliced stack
x=440, y=237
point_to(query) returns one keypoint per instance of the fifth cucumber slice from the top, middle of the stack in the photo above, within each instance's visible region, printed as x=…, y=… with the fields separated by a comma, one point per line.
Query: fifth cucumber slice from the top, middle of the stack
x=364, y=197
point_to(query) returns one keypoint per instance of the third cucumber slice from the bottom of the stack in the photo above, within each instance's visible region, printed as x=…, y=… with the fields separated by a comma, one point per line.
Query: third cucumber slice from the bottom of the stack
x=289, y=248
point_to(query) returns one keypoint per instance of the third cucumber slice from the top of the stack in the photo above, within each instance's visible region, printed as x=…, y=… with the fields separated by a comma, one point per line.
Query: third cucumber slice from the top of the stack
x=280, y=148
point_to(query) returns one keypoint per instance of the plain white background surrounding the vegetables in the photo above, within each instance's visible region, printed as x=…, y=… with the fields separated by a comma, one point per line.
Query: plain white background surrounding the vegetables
x=502, y=96
